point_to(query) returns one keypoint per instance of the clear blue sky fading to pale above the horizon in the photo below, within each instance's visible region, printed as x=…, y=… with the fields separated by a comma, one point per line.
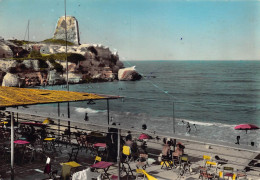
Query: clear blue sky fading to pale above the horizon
x=146, y=29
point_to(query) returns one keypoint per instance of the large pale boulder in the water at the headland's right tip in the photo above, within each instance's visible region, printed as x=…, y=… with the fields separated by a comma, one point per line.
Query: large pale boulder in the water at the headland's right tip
x=128, y=74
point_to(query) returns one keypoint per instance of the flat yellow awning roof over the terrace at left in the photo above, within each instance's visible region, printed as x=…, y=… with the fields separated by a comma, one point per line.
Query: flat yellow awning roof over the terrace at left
x=11, y=96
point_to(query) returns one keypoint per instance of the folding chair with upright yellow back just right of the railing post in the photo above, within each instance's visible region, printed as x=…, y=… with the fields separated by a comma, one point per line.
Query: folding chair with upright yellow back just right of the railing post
x=126, y=153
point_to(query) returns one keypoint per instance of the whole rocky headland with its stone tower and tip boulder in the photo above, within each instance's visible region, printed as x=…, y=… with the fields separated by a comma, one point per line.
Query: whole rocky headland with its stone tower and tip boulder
x=26, y=63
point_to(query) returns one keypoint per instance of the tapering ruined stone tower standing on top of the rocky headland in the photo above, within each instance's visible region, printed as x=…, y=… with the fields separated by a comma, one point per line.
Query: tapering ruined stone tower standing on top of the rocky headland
x=72, y=29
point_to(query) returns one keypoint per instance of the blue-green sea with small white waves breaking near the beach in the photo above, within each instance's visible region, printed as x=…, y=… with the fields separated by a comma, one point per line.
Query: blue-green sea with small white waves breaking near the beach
x=213, y=96
